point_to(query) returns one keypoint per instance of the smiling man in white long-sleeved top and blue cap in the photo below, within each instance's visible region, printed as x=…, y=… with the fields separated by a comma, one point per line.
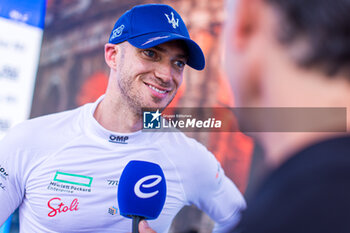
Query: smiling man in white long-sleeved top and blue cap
x=64, y=177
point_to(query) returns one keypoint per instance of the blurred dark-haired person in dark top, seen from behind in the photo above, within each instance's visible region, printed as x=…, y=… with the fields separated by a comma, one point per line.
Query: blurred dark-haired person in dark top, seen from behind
x=294, y=53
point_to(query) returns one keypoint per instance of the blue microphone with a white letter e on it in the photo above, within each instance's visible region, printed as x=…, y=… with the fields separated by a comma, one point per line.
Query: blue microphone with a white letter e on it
x=141, y=192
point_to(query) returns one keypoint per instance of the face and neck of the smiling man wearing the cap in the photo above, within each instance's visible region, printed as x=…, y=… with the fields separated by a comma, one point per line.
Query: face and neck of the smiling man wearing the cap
x=141, y=78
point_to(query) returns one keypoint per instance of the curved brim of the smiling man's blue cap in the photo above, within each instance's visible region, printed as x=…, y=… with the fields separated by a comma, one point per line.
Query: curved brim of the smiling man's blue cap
x=196, y=58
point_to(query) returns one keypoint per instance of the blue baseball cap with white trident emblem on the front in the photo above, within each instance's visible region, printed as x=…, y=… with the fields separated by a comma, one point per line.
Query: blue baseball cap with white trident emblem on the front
x=149, y=25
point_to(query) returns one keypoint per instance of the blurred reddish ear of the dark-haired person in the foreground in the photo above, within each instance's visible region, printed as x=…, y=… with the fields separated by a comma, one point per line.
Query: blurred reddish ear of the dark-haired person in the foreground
x=246, y=17
